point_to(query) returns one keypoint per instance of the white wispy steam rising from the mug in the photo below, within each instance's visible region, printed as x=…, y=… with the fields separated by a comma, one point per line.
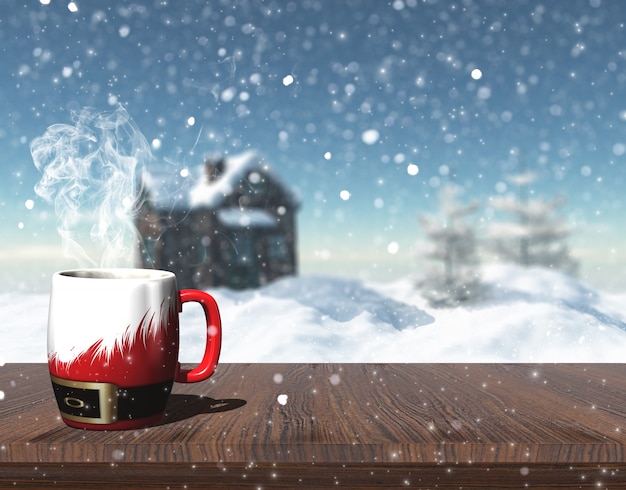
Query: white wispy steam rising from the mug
x=90, y=174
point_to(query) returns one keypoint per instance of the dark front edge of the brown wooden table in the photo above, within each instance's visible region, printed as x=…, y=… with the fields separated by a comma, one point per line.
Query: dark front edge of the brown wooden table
x=290, y=476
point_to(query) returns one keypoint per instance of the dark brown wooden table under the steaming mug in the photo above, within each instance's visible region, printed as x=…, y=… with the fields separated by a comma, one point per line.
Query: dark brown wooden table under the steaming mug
x=341, y=425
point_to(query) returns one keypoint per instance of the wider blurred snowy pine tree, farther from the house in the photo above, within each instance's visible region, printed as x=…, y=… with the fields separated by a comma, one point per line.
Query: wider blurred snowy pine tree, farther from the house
x=537, y=237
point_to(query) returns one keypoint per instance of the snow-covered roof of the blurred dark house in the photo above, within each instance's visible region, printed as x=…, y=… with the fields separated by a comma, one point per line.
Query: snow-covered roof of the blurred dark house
x=192, y=189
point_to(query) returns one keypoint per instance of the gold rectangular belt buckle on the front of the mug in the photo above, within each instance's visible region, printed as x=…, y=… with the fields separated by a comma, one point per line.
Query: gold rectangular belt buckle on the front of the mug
x=89, y=402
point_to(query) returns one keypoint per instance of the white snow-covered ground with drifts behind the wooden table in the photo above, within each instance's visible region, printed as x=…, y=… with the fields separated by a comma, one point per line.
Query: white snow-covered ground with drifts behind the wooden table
x=525, y=315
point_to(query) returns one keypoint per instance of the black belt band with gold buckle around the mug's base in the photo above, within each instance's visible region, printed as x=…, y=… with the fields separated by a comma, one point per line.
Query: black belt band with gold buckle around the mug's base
x=105, y=403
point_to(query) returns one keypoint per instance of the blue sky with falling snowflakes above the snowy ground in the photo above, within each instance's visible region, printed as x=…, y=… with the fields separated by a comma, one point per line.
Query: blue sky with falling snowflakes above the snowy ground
x=338, y=96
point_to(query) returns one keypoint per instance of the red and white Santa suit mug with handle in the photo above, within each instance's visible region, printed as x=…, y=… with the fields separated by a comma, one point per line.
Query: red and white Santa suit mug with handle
x=113, y=341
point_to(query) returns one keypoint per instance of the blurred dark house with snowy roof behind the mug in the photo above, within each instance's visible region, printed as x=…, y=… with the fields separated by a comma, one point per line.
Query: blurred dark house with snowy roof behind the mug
x=229, y=222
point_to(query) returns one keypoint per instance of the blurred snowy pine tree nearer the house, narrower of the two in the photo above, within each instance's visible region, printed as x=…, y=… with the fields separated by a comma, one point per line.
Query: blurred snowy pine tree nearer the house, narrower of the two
x=452, y=243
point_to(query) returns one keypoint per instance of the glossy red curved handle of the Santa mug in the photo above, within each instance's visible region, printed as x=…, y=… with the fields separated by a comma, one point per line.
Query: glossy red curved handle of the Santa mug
x=213, y=341
